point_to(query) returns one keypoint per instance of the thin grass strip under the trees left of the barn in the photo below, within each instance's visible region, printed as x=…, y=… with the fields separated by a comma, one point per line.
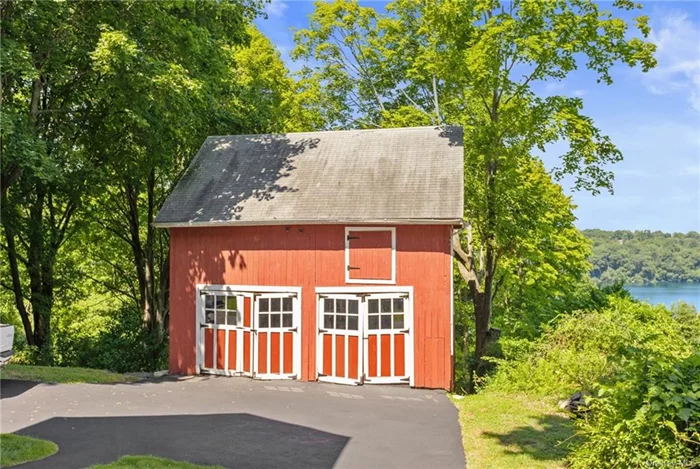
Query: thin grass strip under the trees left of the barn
x=55, y=374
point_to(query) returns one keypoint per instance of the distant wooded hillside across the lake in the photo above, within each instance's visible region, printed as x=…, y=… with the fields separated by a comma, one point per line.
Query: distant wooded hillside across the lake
x=645, y=257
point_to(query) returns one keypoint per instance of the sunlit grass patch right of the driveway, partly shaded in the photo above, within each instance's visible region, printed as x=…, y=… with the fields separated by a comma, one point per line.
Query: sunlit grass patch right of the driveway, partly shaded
x=506, y=431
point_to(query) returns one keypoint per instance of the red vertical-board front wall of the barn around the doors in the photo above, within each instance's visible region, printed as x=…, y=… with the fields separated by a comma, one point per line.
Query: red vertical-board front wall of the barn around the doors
x=311, y=256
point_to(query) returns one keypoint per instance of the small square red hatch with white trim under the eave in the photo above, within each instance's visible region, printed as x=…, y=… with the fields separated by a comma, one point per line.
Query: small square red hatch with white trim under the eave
x=370, y=255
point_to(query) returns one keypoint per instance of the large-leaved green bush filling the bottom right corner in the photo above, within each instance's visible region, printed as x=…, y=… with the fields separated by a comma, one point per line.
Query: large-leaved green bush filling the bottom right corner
x=649, y=417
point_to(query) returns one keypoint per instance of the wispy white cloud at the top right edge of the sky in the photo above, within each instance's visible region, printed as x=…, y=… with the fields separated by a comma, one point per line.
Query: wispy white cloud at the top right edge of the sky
x=677, y=39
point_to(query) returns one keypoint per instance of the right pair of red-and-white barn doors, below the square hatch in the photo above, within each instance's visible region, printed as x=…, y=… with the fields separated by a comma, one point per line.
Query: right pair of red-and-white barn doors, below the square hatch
x=365, y=337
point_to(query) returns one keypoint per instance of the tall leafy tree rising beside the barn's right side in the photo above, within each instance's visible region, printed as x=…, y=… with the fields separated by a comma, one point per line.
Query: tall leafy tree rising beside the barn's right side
x=476, y=63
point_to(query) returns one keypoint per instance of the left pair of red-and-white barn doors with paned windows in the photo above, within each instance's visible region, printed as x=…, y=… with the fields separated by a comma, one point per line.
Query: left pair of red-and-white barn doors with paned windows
x=249, y=333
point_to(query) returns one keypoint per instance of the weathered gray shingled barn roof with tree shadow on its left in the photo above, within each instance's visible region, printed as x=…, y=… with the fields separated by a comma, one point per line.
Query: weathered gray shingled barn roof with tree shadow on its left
x=368, y=176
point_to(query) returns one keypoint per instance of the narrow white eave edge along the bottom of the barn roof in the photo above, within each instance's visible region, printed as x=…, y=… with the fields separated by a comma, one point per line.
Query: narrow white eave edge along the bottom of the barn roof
x=349, y=221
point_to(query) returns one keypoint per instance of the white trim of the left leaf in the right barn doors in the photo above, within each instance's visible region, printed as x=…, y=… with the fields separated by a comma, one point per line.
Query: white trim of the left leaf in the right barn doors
x=320, y=352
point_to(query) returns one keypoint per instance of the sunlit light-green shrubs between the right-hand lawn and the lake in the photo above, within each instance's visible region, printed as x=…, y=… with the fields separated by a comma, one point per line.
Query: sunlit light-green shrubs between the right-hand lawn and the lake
x=585, y=349
